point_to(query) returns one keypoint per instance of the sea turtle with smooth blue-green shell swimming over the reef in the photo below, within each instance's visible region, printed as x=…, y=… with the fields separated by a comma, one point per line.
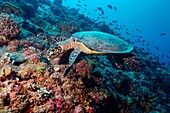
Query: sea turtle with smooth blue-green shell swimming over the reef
x=89, y=42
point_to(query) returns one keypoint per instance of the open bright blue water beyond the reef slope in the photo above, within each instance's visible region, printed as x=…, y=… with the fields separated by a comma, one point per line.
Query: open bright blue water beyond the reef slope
x=151, y=17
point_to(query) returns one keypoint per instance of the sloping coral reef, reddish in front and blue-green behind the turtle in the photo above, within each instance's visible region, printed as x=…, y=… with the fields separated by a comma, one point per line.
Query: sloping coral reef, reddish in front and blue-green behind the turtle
x=32, y=83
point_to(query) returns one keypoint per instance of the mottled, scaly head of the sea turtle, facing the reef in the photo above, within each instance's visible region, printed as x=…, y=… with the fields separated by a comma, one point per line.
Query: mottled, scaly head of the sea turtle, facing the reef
x=54, y=52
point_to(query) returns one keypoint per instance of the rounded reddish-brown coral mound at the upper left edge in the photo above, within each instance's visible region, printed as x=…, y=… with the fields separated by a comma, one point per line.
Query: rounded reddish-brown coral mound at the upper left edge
x=8, y=28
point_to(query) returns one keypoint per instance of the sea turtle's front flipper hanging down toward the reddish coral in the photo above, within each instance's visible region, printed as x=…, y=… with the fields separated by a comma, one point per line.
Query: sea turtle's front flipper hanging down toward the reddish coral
x=72, y=58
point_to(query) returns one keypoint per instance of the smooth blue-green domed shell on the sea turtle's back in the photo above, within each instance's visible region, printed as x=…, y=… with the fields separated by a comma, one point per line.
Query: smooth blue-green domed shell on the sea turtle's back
x=103, y=42
